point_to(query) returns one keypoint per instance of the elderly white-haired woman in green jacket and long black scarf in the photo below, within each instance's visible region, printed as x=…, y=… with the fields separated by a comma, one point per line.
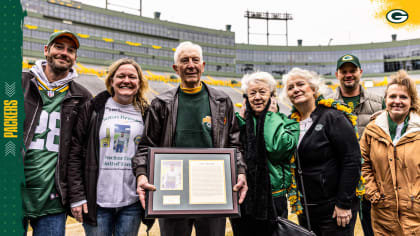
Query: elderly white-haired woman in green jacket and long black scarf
x=269, y=140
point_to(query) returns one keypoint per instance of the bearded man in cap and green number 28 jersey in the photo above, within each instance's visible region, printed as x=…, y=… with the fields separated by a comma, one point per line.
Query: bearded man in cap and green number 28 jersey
x=52, y=100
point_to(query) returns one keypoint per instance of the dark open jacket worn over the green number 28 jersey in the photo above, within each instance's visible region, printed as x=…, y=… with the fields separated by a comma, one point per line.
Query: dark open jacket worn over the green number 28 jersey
x=73, y=100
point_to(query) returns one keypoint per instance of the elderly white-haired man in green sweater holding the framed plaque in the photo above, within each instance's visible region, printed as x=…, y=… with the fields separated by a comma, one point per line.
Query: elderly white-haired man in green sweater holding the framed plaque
x=191, y=115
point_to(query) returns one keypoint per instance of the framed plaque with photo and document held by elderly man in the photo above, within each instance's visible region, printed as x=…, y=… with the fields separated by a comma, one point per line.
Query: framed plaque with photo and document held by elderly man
x=192, y=182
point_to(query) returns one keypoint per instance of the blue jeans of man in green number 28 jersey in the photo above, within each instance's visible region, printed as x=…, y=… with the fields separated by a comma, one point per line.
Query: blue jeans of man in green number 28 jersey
x=48, y=225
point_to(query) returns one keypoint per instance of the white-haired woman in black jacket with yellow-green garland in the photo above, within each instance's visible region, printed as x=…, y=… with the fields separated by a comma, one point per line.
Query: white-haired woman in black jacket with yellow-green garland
x=329, y=155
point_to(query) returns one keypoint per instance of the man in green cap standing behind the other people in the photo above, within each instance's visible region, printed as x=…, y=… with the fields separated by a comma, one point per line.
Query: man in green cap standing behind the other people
x=363, y=103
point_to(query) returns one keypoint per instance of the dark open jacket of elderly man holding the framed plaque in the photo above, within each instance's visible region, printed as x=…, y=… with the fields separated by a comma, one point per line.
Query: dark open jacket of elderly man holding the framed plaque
x=160, y=125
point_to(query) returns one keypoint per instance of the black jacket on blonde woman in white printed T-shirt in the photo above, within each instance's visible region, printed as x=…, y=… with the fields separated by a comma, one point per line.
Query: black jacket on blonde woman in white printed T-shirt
x=83, y=167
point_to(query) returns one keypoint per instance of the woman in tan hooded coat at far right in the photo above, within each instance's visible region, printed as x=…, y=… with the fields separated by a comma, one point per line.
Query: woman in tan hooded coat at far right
x=390, y=148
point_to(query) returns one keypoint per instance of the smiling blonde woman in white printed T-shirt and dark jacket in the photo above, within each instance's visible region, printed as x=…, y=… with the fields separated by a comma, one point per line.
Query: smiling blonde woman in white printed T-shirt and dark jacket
x=102, y=187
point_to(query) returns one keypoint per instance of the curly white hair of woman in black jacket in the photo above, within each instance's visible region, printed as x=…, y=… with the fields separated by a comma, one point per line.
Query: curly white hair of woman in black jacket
x=315, y=82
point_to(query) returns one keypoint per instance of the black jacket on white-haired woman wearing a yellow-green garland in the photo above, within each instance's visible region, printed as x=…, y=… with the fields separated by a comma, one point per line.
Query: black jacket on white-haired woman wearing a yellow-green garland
x=330, y=158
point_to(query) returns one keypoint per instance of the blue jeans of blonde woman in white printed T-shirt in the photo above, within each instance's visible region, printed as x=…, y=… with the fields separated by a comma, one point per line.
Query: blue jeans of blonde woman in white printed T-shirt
x=120, y=221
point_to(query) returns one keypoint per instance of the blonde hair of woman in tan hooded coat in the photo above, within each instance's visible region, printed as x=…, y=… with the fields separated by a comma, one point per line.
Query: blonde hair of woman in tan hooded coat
x=401, y=78
